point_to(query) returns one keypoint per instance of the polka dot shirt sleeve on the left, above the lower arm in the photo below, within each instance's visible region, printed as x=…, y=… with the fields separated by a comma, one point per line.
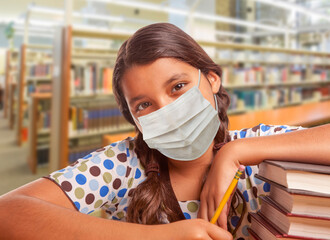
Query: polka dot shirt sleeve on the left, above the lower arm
x=103, y=177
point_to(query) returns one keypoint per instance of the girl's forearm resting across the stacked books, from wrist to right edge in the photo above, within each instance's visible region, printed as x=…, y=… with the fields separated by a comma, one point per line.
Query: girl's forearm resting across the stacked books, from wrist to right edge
x=308, y=145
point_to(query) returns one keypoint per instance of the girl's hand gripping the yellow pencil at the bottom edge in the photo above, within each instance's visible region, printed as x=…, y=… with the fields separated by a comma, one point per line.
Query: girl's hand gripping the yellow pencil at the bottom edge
x=194, y=229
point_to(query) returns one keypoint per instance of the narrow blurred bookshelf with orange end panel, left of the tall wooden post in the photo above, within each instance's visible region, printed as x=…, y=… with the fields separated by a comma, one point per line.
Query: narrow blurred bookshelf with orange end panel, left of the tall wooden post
x=35, y=75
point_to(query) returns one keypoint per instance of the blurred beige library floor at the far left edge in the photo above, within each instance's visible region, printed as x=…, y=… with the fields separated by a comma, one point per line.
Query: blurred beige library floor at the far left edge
x=14, y=171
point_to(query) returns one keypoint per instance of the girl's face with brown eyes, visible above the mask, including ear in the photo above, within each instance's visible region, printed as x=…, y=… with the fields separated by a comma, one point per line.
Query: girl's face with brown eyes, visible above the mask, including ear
x=148, y=88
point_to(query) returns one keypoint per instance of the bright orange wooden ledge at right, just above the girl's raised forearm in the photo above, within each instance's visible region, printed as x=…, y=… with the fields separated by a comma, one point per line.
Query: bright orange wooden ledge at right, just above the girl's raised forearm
x=306, y=115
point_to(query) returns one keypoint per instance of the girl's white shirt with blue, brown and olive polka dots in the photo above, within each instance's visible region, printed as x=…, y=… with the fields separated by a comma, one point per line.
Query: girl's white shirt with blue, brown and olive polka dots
x=105, y=179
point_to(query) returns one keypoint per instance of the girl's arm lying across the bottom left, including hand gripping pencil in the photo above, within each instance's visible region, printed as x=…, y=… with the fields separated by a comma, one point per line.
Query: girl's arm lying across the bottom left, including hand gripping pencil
x=40, y=210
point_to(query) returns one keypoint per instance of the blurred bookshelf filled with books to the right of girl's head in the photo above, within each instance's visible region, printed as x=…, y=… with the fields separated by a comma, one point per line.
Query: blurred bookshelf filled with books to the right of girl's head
x=271, y=78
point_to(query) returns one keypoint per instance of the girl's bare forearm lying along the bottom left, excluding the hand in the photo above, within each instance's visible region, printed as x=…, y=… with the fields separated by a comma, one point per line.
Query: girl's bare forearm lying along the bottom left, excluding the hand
x=32, y=218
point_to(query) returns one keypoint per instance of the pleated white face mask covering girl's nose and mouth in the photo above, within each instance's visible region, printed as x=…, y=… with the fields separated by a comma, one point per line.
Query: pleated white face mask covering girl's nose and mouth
x=184, y=129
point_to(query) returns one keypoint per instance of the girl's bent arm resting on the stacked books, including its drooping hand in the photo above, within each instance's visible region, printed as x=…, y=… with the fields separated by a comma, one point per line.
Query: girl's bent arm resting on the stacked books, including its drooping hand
x=307, y=145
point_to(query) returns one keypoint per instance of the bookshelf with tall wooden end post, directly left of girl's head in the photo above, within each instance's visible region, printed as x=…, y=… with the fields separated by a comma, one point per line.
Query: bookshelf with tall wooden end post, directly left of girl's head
x=81, y=116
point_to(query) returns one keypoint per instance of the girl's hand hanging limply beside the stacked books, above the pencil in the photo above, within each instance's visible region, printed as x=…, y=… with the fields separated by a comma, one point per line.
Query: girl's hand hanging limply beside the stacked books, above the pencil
x=222, y=172
